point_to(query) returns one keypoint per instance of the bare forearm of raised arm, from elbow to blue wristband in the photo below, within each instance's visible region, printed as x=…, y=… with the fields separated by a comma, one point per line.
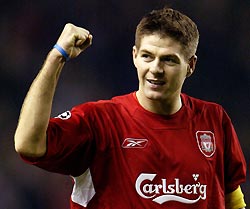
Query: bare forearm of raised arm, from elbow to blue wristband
x=30, y=136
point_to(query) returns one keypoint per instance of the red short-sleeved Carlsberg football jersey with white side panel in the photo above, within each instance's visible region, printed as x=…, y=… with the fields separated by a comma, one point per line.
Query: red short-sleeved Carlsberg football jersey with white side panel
x=121, y=156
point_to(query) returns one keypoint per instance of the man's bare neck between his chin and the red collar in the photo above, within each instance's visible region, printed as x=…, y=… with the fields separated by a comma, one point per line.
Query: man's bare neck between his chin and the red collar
x=167, y=106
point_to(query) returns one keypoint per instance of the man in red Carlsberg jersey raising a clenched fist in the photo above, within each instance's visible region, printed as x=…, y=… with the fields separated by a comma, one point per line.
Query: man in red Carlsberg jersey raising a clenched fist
x=153, y=148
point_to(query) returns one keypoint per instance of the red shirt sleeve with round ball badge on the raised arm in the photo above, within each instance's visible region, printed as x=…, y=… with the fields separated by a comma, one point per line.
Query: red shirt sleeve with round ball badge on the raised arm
x=69, y=143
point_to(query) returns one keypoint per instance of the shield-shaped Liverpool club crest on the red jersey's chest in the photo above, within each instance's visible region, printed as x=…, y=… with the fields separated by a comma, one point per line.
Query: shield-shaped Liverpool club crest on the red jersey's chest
x=206, y=142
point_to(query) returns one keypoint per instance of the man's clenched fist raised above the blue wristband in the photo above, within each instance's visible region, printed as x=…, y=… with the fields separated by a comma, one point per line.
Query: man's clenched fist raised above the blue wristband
x=74, y=40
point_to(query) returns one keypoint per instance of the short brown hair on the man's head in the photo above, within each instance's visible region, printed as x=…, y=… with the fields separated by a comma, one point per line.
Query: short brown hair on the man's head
x=172, y=23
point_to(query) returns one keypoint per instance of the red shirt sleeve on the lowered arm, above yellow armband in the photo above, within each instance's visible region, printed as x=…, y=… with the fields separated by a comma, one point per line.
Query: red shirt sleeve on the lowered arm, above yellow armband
x=235, y=164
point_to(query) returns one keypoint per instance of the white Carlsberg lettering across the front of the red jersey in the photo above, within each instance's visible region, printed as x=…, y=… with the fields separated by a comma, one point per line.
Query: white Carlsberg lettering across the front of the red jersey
x=163, y=192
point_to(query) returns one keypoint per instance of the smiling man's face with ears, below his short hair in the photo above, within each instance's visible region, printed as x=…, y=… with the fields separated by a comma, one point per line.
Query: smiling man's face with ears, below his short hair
x=161, y=68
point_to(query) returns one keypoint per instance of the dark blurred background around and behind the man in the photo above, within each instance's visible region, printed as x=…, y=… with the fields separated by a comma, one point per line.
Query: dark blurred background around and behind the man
x=29, y=29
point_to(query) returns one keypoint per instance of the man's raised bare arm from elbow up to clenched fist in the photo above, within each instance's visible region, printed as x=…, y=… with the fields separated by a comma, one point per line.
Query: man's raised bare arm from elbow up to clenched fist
x=30, y=135
